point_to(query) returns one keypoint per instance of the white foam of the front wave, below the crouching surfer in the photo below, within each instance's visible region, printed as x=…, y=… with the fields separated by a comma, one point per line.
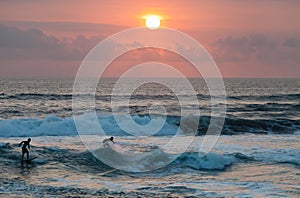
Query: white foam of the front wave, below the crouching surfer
x=157, y=158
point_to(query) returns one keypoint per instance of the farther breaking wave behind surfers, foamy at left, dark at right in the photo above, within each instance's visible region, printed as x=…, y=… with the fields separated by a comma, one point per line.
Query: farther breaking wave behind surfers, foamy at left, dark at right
x=58, y=126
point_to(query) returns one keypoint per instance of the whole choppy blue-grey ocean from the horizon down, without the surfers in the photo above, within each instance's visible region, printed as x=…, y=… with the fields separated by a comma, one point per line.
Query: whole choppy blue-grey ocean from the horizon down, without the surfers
x=258, y=154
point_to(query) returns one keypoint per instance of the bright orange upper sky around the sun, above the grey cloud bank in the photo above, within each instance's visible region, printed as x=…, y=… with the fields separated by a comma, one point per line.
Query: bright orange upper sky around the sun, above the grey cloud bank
x=263, y=15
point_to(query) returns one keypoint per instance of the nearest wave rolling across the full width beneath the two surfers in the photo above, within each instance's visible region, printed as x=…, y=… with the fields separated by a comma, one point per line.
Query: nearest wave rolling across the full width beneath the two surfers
x=188, y=160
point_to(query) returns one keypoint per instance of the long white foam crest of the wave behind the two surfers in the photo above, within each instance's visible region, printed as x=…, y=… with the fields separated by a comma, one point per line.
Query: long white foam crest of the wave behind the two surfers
x=57, y=126
